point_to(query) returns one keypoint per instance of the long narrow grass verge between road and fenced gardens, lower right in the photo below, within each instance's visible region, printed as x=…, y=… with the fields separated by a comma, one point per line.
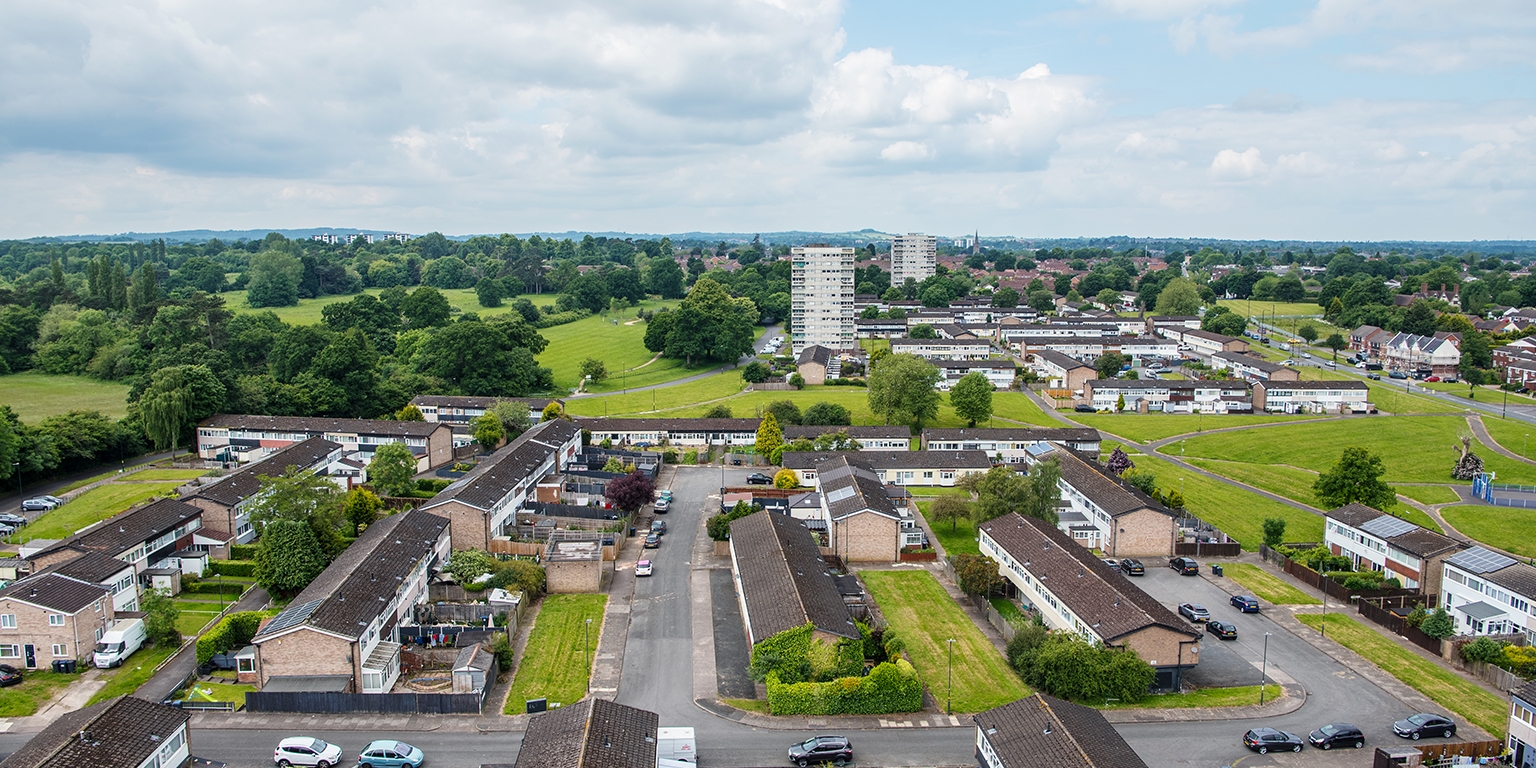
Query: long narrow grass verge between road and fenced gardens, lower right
x=1449, y=690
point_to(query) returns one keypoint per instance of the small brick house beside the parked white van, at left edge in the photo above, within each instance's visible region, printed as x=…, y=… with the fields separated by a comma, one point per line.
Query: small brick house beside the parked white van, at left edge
x=50, y=617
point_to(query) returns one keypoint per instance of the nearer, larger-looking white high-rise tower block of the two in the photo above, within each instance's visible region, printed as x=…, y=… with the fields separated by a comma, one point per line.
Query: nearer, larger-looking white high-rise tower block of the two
x=823, y=297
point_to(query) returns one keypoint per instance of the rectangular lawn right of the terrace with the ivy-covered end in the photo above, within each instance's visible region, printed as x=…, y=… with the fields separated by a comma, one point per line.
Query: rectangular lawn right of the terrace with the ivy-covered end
x=925, y=618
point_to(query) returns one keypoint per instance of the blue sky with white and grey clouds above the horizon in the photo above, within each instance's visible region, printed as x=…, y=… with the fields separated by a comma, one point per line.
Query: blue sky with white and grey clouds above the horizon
x=1226, y=119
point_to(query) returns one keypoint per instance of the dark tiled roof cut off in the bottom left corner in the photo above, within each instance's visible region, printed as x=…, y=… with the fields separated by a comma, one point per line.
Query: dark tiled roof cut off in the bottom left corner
x=124, y=732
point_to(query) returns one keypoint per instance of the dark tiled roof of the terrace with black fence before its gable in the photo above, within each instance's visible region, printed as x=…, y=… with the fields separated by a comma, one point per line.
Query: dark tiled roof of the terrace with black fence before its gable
x=349, y=592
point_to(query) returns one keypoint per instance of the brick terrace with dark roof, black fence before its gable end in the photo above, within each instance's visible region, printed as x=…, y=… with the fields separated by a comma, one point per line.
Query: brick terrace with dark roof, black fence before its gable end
x=337, y=634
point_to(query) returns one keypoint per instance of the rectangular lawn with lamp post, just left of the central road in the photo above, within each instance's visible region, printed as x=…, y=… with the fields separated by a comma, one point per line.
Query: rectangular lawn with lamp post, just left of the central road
x=555, y=663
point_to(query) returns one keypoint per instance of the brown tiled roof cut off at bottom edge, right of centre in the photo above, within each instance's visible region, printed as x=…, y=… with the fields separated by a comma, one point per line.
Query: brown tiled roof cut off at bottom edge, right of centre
x=1042, y=730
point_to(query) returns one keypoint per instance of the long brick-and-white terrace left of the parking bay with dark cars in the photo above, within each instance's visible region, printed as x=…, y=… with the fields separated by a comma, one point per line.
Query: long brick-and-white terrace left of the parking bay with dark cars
x=1073, y=591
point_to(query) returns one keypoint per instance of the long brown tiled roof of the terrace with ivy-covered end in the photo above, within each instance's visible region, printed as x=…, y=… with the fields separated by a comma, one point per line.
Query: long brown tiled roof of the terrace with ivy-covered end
x=784, y=580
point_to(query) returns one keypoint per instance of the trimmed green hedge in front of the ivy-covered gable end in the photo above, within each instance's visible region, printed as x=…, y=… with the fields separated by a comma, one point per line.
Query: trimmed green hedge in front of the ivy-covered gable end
x=892, y=687
